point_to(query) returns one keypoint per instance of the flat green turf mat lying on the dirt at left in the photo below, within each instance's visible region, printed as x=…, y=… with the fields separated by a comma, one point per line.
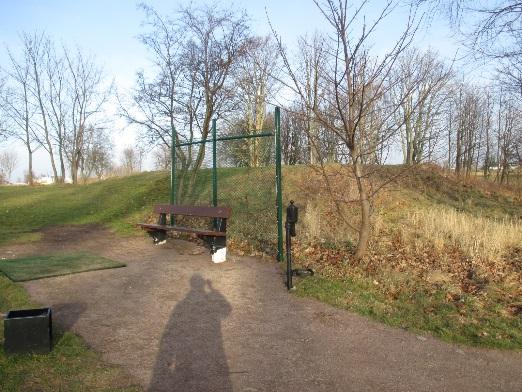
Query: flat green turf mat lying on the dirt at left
x=36, y=267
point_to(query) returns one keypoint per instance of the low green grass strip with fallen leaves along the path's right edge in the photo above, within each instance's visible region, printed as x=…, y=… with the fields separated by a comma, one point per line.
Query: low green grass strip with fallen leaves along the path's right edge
x=421, y=309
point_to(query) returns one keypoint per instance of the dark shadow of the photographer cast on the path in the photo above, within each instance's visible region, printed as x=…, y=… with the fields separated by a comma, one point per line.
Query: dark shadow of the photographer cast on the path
x=191, y=356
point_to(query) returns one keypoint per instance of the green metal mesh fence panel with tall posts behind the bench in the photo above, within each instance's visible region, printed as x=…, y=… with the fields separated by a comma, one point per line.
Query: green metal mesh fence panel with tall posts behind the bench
x=240, y=171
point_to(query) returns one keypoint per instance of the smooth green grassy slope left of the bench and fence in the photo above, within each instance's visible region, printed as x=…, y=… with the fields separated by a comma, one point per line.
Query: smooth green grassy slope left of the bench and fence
x=116, y=202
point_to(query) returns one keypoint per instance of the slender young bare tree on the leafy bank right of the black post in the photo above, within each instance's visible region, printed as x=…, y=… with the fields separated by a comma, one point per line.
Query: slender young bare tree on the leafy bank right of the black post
x=352, y=89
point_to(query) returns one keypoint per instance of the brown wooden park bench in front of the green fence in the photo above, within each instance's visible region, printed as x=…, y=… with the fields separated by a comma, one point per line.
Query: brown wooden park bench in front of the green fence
x=216, y=236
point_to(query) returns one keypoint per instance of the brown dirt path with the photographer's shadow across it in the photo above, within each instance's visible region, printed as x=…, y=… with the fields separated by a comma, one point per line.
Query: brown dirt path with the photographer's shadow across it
x=177, y=322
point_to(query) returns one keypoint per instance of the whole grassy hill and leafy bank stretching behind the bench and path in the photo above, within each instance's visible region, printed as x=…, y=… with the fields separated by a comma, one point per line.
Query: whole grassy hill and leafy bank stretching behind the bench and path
x=445, y=257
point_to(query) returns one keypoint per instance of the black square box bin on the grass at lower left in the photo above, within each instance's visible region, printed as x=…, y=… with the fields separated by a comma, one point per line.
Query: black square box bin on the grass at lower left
x=28, y=331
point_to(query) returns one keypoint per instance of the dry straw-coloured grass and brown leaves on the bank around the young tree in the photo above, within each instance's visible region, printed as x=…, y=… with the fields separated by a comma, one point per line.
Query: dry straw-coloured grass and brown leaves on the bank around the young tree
x=425, y=242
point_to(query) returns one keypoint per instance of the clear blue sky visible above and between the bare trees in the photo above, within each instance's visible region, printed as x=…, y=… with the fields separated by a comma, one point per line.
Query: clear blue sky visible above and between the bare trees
x=108, y=29
